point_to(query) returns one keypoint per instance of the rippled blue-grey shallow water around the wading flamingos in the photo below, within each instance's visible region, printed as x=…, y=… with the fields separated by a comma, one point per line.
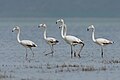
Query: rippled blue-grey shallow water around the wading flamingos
x=59, y=67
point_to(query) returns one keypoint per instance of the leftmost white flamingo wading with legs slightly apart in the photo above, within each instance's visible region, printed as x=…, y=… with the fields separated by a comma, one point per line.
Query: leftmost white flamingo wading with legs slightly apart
x=26, y=43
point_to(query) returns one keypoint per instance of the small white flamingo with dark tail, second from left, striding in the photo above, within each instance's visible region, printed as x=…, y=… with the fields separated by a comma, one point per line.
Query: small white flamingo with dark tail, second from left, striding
x=50, y=40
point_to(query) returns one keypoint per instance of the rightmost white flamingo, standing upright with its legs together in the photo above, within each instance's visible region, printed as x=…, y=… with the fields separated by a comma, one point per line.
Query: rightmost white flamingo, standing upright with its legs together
x=100, y=41
